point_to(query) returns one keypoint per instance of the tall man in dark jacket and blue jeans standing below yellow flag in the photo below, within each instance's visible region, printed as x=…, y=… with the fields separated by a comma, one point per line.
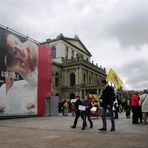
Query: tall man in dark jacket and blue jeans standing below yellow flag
x=107, y=98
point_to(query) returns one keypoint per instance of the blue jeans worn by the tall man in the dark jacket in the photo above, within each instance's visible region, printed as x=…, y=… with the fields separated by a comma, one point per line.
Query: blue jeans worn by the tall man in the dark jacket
x=104, y=117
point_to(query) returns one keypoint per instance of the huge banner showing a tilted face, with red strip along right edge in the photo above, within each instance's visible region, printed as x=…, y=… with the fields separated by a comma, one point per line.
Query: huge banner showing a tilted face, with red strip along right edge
x=23, y=82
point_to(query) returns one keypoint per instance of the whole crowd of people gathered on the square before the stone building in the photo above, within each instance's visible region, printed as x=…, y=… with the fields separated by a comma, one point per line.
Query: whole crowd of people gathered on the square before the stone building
x=106, y=105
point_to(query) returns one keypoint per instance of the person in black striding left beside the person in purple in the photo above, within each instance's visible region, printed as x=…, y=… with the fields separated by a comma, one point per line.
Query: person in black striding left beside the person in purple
x=78, y=113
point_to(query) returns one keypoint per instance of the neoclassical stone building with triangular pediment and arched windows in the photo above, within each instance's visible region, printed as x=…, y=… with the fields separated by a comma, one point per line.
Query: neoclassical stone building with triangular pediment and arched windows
x=72, y=71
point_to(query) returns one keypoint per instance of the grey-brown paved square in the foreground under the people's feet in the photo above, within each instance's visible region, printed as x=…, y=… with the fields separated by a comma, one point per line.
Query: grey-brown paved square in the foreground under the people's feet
x=55, y=132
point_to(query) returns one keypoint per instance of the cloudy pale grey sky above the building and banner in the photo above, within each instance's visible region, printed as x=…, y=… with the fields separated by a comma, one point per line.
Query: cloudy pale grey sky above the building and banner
x=114, y=31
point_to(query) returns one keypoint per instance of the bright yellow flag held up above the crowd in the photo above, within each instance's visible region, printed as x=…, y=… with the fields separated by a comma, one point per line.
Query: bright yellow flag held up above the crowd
x=114, y=78
